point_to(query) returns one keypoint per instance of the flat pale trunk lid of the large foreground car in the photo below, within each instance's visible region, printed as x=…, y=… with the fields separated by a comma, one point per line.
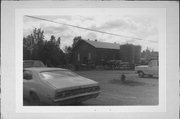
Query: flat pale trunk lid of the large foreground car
x=70, y=82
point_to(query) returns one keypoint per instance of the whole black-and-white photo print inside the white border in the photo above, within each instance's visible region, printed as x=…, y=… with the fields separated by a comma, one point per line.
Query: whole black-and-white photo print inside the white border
x=90, y=60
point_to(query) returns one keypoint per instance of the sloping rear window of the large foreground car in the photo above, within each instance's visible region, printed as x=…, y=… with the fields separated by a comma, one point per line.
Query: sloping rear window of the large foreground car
x=56, y=74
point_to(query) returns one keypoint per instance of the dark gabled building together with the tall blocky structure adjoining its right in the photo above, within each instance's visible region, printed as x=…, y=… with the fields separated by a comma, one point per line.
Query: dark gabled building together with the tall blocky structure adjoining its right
x=87, y=52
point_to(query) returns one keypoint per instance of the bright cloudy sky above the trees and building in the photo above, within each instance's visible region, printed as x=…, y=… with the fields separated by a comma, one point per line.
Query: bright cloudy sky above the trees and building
x=143, y=27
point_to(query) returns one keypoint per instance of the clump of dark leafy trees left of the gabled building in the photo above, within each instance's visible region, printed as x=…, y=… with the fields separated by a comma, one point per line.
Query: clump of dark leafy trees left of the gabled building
x=35, y=47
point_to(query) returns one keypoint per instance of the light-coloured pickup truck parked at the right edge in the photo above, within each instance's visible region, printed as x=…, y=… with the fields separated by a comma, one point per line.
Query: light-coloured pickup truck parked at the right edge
x=152, y=69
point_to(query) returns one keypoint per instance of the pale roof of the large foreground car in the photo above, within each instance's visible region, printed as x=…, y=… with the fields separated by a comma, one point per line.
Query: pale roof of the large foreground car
x=42, y=69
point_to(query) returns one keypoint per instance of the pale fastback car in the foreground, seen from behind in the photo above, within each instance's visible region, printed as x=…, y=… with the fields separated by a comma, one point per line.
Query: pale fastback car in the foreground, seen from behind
x=57, y=86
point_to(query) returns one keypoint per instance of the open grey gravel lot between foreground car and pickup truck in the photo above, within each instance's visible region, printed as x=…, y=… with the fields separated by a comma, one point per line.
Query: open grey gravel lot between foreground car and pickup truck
x=134, y=91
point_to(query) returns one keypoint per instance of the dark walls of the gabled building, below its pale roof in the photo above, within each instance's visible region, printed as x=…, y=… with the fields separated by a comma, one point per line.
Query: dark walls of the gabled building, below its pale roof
x=98, y=55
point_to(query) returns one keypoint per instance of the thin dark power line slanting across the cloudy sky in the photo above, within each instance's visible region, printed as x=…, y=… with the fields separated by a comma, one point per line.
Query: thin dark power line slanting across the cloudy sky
x=84, y=28
